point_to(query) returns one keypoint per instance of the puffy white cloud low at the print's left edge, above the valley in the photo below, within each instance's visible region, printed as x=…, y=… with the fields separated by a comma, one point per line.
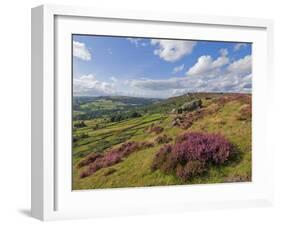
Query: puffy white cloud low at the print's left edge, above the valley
x=89, y=85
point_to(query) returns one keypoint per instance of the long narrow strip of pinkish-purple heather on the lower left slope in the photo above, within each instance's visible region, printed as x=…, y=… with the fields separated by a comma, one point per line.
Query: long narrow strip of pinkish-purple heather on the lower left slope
x=111, y=157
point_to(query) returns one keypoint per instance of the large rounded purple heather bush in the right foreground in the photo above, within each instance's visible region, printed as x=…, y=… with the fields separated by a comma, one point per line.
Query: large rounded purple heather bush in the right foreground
x=192, y=153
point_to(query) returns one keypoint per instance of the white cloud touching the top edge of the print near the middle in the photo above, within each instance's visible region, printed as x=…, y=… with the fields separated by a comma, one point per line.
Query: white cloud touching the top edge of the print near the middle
x=172, y=50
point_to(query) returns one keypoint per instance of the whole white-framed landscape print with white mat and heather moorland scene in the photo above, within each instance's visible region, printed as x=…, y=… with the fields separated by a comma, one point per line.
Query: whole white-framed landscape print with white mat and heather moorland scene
x=137, y=113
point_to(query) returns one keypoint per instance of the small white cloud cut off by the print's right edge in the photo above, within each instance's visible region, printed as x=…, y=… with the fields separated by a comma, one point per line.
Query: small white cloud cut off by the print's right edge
x=241, y=66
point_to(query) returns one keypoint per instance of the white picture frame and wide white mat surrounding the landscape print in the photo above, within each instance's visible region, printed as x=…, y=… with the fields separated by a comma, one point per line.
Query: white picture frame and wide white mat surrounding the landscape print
x=52, y=197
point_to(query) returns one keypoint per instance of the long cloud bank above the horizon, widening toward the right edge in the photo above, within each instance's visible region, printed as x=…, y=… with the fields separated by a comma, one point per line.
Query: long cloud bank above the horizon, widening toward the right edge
x=219, y=75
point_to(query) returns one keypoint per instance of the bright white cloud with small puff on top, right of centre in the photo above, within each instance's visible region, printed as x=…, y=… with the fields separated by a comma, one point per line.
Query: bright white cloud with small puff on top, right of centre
x=206, y=64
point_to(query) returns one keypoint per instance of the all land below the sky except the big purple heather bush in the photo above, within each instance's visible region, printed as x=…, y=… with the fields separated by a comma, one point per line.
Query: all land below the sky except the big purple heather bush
x=116, y=139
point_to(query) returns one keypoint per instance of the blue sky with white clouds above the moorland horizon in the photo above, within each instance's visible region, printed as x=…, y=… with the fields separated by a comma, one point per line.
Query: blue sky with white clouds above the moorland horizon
x=158, y=68
